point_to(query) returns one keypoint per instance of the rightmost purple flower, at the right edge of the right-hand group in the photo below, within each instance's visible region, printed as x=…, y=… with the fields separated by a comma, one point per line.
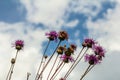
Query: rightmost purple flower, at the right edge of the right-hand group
x=99, y=50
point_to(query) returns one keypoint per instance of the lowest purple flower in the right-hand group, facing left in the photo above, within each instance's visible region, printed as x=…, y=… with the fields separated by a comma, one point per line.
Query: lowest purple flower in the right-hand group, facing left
x=92, y=59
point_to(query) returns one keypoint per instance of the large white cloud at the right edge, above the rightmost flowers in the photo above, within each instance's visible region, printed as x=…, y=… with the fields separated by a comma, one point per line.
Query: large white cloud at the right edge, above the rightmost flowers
x=107, y=30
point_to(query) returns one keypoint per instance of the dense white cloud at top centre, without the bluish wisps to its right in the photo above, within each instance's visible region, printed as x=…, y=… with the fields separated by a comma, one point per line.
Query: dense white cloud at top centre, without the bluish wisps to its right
x=48, y=12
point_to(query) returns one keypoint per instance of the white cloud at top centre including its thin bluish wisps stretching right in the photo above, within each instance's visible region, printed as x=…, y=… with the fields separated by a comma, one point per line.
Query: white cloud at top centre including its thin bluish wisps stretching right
x=55, y=13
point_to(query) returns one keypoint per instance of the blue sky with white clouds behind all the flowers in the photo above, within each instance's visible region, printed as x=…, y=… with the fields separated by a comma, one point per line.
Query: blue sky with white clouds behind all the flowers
x=29, y=20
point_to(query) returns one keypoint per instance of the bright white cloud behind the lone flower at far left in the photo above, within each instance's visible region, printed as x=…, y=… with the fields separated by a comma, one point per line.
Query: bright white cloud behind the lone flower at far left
x=29, y=57
